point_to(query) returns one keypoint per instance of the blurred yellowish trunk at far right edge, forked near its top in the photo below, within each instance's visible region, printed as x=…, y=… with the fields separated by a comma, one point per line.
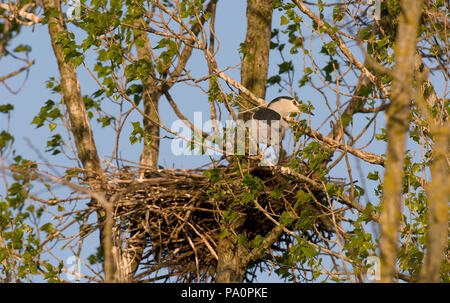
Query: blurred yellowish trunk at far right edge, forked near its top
x=438, y=190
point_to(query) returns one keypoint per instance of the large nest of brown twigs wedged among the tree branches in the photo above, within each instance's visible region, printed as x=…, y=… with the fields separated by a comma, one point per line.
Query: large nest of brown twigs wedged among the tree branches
x=181, y=213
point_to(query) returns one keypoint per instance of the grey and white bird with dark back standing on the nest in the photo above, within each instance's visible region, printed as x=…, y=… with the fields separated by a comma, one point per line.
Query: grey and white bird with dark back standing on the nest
x=270, y=124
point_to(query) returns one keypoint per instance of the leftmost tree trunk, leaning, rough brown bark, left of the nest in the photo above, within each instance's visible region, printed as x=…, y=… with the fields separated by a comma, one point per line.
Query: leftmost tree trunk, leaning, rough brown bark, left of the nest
x=82, y=133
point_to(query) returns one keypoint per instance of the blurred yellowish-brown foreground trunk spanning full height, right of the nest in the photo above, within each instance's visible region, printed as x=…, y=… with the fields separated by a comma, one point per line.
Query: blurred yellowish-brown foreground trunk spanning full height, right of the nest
x=397, y=128
